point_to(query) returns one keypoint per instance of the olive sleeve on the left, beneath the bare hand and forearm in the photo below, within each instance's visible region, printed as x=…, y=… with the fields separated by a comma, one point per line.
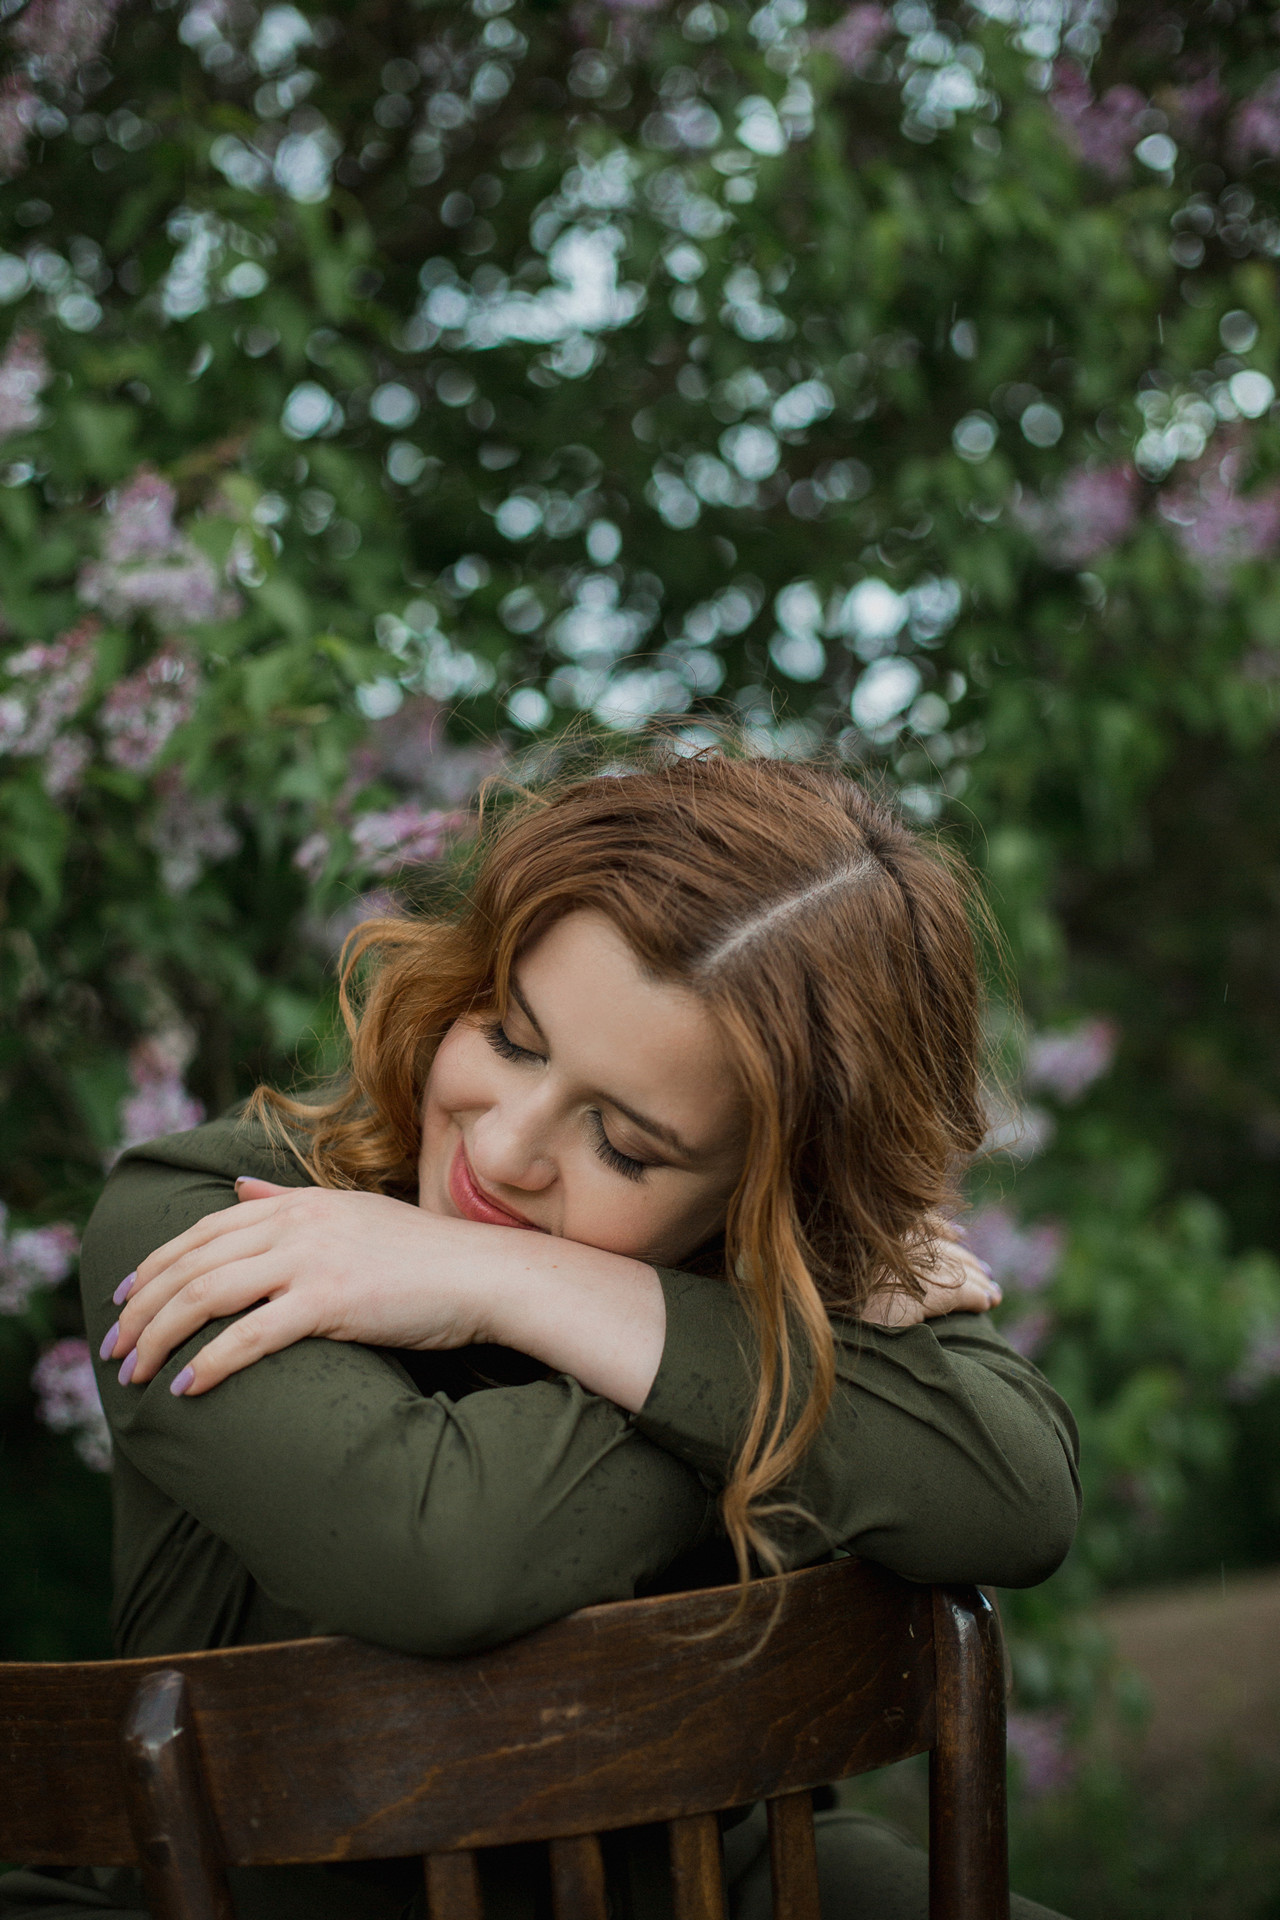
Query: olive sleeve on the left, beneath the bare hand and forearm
x=358, y=1502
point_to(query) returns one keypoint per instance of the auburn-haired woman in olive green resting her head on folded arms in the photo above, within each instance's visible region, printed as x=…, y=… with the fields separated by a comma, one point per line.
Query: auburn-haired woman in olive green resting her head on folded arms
x=575, y=1282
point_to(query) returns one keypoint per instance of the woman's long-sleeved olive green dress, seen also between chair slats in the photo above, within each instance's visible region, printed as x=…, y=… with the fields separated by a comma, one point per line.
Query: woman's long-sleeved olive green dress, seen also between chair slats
x=446, y=1502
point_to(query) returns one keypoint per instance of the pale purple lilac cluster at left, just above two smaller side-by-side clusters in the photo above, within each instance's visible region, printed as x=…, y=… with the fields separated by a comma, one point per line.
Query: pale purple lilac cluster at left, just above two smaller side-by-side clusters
x=151, y=565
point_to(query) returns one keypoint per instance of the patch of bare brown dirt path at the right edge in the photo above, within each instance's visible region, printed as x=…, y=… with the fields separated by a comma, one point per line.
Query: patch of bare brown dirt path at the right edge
x=1210, y=1658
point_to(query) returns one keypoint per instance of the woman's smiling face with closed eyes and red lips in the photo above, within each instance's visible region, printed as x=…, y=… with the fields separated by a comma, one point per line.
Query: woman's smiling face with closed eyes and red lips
x=602, y=1111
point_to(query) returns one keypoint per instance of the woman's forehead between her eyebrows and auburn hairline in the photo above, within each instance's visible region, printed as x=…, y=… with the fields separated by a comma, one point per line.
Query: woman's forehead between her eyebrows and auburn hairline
x=648, y=1044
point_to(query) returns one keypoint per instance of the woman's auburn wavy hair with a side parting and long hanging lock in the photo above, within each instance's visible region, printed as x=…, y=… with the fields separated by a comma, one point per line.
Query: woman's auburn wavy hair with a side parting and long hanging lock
x=834, y=949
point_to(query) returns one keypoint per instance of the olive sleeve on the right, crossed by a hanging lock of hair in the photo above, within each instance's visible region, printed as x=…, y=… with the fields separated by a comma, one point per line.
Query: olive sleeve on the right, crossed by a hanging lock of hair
x=945, y=1454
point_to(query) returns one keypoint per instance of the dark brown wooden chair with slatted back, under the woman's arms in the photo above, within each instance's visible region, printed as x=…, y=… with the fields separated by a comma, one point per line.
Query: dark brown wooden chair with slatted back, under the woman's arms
x=331, y=1750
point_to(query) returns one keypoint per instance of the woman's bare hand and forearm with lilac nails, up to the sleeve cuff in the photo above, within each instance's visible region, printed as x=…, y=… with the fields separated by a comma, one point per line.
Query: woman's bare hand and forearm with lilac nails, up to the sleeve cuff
x=348, y=1266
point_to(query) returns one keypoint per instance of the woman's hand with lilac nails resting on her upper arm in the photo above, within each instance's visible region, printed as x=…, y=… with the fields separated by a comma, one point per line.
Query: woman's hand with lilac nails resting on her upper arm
x=341, y=1266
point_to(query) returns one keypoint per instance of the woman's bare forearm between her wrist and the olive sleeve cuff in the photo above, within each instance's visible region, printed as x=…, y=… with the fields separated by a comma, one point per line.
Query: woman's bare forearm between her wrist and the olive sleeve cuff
x=600, y=1318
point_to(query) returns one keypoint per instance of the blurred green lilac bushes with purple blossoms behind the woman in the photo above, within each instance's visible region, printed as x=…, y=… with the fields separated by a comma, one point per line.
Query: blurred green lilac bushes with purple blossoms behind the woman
x=387, y=387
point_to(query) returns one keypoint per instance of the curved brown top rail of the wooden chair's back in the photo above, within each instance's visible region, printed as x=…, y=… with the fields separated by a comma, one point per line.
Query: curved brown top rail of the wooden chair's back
x=327, y=1750
